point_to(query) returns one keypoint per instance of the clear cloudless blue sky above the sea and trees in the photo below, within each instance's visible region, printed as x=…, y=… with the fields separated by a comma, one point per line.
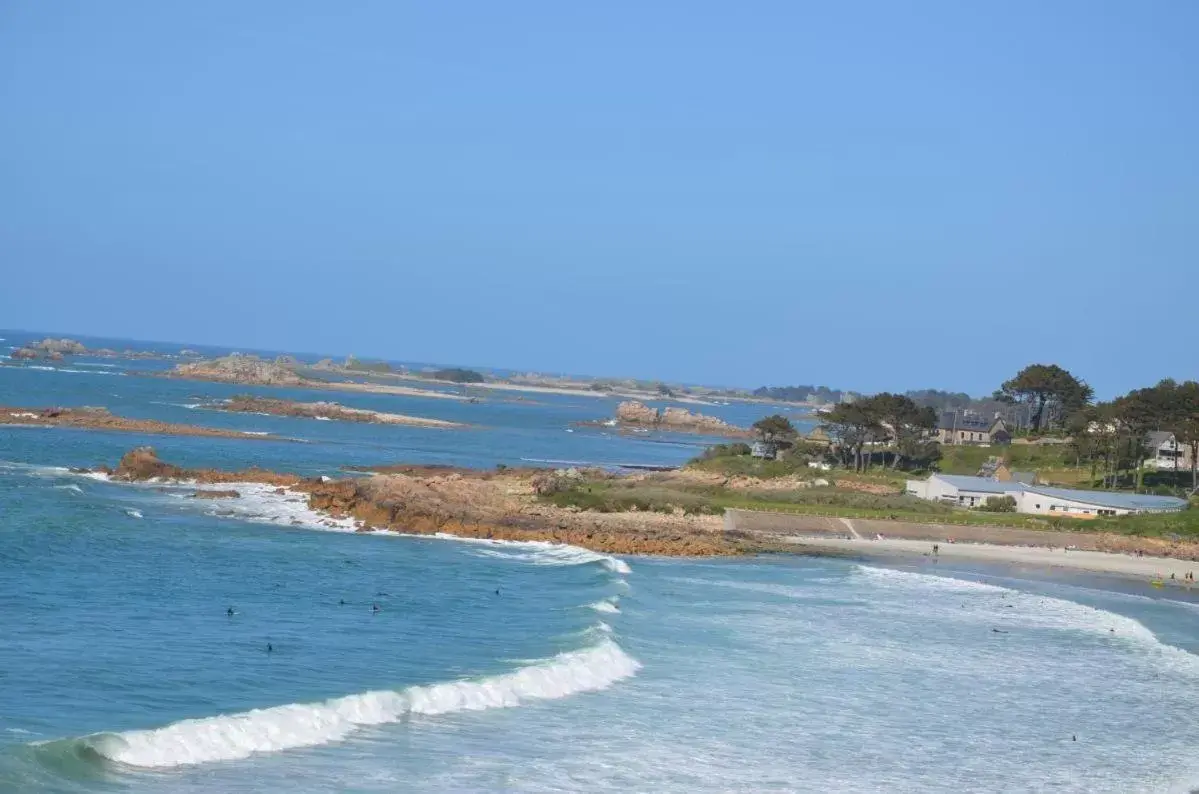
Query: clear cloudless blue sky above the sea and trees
x=864, y=195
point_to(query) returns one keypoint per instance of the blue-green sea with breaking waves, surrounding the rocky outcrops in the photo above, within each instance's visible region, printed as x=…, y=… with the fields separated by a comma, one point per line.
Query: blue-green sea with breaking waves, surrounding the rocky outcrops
x=525, y=667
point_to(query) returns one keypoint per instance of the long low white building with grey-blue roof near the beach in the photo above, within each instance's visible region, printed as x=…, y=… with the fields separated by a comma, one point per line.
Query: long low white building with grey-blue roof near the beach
x=974, y=492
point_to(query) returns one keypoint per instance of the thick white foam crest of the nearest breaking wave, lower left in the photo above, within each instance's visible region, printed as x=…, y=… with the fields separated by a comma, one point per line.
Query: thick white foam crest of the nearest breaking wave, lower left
x=306, y=725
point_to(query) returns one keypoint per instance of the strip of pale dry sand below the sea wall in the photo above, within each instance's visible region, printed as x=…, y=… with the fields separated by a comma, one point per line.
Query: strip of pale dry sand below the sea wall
x=1128, y=566
